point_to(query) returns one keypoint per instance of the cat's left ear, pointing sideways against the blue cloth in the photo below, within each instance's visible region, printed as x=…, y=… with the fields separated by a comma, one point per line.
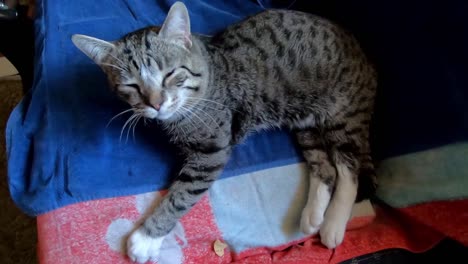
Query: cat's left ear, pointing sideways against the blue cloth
x=94, y=48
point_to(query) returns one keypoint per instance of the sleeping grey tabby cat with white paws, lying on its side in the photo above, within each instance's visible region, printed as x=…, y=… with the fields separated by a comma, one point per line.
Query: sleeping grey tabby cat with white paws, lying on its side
x=279, y=68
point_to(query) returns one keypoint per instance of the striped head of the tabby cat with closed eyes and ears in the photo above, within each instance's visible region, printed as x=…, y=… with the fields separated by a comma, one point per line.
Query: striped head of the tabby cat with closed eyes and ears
x=159, y=73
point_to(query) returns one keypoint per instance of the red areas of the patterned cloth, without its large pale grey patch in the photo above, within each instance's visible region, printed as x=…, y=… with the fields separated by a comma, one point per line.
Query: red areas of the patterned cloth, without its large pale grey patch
x=83, y=233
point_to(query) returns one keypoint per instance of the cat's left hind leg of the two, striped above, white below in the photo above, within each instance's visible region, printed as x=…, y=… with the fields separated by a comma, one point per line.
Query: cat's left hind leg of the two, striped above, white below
x=322, y=176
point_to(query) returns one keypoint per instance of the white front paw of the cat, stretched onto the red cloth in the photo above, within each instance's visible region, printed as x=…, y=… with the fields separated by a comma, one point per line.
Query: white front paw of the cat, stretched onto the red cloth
x=141, y=247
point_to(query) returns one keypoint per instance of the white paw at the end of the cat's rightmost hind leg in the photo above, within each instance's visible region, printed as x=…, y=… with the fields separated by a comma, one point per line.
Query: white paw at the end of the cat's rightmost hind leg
x=332, y=232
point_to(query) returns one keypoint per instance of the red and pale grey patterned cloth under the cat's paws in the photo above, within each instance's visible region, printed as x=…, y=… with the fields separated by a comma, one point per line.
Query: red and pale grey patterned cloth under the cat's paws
x=95, y=231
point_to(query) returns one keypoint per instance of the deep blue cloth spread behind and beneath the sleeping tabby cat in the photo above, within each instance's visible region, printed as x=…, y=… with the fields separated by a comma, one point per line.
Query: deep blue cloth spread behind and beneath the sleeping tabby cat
x=61, y=152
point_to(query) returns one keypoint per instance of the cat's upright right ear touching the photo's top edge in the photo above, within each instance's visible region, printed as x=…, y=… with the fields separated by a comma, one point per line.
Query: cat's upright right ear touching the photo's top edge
x=176, y=27
